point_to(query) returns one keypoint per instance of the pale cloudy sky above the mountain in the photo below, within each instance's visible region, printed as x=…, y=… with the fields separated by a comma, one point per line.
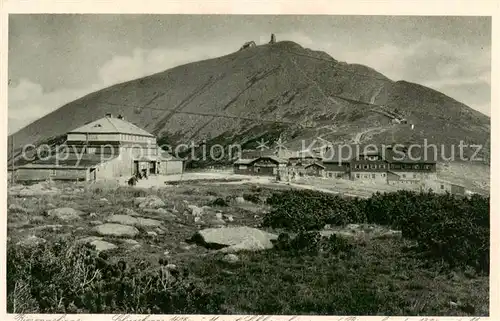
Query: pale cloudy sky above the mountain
x=54, y=59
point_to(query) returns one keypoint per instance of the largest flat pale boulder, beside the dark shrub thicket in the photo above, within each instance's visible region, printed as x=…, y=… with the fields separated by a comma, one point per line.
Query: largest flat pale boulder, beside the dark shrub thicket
x=235, y=238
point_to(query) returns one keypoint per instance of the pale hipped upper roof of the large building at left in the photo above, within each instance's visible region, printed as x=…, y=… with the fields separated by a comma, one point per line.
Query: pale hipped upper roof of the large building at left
x=111, y=125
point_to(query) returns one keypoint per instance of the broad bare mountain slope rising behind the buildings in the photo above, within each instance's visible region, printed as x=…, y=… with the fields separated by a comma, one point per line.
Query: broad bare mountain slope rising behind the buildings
x=282, y=81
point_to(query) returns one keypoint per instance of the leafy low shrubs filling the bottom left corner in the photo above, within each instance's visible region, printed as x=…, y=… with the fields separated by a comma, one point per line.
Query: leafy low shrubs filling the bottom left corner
x=64, y=278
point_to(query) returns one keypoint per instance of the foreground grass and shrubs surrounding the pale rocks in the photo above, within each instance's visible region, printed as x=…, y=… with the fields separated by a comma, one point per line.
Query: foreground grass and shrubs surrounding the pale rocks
x=439, y=267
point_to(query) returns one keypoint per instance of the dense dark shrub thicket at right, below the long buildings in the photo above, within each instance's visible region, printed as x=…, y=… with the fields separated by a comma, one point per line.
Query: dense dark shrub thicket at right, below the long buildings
x=447, y=227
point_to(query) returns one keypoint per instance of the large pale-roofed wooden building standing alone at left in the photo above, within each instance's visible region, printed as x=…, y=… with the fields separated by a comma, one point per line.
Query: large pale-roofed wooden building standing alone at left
x=107, y=148
